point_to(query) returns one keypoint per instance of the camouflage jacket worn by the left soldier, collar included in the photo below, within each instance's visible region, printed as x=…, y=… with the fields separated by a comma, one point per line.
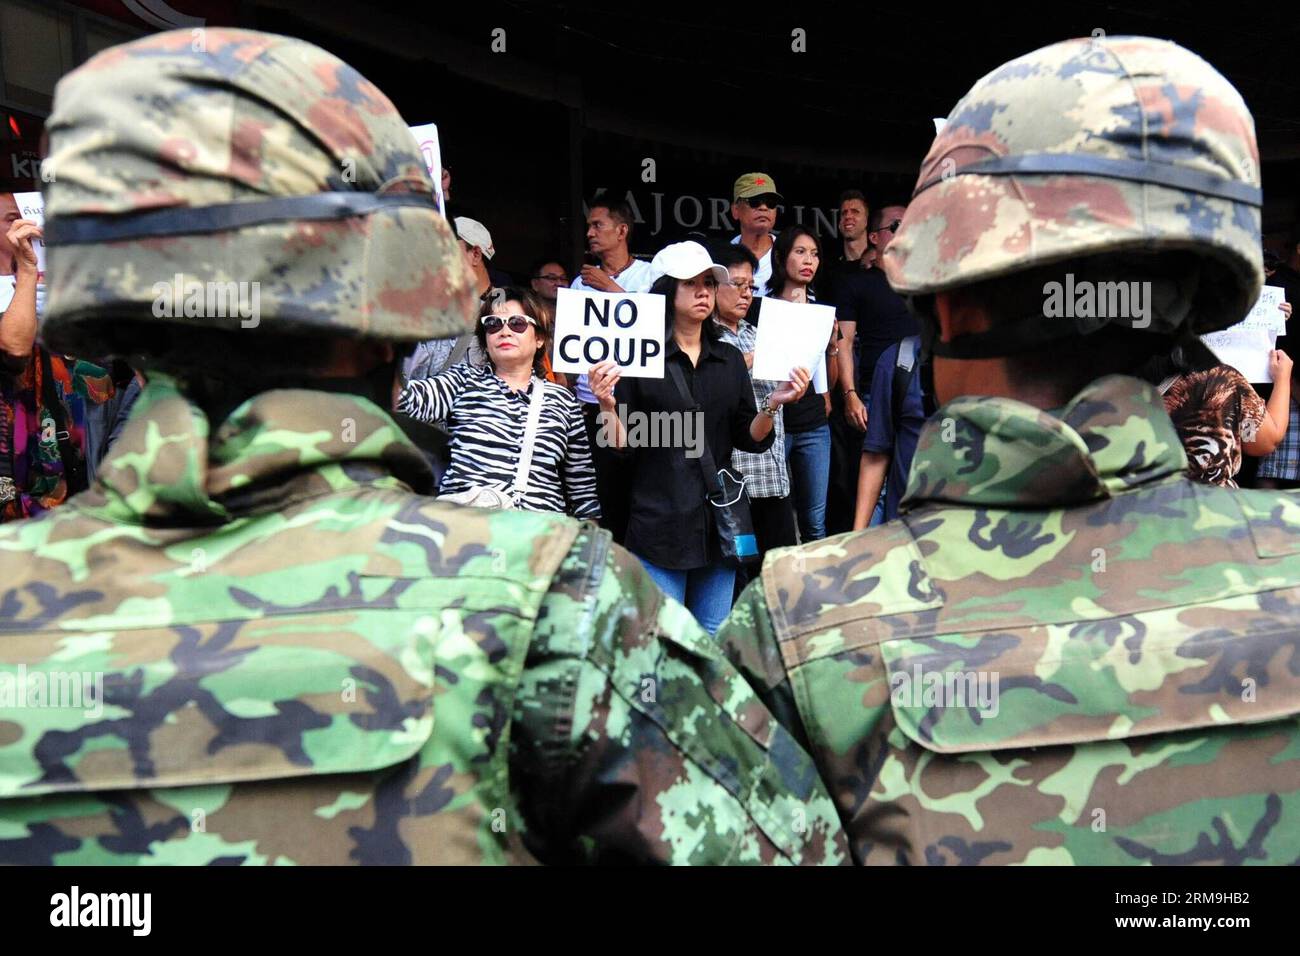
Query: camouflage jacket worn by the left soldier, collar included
x=304, y=661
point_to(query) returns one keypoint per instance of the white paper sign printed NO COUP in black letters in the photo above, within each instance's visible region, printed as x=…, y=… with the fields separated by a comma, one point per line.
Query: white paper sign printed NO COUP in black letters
x=626, y=328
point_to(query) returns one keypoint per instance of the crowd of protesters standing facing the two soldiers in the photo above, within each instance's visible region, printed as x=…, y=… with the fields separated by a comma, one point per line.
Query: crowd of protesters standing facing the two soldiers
x=821, y=455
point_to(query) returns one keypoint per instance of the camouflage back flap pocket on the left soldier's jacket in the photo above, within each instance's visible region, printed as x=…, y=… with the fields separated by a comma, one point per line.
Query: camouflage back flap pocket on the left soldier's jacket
x=215, y=703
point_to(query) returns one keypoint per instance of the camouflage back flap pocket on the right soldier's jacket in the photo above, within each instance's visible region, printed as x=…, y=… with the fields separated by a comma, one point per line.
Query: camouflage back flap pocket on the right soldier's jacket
x=1175, y=671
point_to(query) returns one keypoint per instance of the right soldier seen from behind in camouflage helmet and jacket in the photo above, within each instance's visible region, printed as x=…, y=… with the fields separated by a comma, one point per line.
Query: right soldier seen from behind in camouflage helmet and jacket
x=1065, y=652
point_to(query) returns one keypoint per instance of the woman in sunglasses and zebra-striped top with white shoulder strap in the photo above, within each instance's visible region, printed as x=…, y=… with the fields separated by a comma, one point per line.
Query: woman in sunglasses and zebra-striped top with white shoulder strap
x=487, y=413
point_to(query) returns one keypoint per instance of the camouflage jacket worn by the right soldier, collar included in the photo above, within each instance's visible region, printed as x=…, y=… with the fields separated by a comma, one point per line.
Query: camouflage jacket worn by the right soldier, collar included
x=1063, y=652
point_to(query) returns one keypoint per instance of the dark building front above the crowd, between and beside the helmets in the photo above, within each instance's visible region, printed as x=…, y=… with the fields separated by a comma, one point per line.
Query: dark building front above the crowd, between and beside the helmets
x=540, y=106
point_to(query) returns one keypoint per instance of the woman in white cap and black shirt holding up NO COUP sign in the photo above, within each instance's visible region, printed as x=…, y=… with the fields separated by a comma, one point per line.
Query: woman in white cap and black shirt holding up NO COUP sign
x=673, y=526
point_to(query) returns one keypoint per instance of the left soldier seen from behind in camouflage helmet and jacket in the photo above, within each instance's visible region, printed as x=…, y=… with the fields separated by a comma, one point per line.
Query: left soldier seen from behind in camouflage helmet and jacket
x=304, y=659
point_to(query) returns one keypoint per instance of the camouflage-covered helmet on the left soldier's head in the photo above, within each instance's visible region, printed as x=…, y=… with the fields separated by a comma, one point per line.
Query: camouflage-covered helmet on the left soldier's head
x=229, y=157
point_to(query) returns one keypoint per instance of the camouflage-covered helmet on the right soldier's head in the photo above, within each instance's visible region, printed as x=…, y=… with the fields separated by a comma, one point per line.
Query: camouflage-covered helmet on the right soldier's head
x=1086, y=149
